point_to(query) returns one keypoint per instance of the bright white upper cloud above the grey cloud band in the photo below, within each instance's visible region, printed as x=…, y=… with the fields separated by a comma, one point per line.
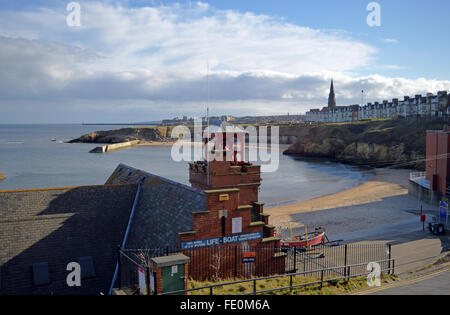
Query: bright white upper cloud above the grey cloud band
x=183, y=39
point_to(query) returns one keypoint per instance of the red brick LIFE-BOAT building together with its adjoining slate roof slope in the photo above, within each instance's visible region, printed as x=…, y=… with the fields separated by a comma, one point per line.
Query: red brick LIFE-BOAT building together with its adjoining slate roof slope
x=218, y=222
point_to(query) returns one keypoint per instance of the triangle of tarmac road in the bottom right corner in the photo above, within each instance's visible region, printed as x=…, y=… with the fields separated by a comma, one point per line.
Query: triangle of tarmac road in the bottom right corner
x=428, y=285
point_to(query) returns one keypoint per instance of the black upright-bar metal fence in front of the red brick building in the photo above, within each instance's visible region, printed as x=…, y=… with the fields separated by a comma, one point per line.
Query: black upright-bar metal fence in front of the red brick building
x=227, y=262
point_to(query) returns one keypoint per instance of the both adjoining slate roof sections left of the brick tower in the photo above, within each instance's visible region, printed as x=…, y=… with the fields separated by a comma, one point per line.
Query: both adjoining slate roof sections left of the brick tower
x=53, y=227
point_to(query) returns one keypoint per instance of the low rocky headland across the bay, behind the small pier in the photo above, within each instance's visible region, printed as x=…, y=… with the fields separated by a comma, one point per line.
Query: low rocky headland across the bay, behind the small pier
x=122, y=135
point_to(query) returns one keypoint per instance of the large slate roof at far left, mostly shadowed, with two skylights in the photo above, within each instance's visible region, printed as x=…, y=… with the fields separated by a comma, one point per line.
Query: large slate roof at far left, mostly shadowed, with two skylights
x=59, y=226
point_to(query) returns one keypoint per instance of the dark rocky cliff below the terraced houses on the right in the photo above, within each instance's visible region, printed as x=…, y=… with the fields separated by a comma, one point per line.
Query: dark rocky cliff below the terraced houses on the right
x=376, y=143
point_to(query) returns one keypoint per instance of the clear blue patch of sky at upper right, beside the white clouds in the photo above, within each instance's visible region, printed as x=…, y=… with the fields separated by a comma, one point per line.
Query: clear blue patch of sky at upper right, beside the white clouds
x=420, y=28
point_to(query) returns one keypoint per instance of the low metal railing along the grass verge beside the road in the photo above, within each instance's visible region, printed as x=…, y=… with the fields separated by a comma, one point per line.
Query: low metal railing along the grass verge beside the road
x=348, y=275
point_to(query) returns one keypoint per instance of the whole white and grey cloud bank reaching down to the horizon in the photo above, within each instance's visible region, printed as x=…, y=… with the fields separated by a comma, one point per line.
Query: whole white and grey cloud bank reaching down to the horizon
x=139, y=61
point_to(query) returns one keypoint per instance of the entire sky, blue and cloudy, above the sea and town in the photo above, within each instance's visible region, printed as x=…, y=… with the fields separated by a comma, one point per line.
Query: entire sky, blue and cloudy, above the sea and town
x=143, y=60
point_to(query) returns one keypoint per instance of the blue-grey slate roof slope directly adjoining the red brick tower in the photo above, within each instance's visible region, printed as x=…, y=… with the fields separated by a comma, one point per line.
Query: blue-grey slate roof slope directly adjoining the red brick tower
x=164, y=208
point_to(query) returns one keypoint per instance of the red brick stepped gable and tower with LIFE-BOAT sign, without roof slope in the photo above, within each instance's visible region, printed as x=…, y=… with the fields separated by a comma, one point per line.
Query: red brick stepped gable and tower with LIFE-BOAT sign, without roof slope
x=234, y=225
